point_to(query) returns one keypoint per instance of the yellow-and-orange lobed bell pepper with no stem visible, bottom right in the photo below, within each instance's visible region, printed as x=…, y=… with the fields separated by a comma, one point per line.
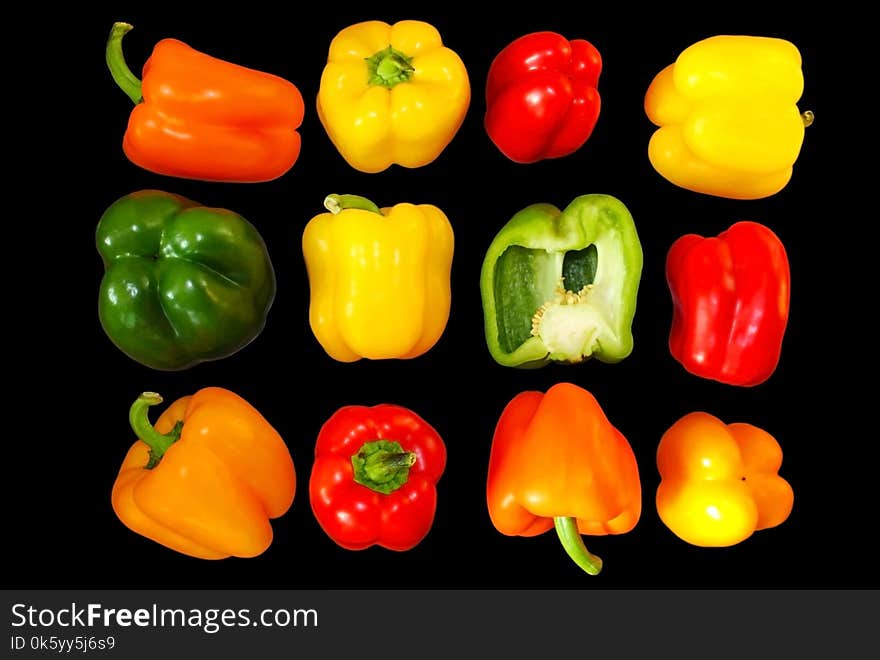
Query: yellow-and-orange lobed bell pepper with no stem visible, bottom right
x=720, y=482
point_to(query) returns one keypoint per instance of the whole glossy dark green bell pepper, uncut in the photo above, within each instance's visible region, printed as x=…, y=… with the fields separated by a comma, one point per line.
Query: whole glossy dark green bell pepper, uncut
x=183, y=283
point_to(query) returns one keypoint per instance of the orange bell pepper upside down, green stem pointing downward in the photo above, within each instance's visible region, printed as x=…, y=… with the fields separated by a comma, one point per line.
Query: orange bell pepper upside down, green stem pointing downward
x=556, y=461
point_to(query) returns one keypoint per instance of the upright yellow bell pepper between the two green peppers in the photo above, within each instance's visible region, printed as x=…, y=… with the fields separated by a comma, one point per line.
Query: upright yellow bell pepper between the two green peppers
x=379, y=278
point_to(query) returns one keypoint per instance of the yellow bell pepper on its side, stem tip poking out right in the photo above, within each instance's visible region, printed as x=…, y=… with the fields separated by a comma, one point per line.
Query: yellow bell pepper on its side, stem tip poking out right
x=729, y=123
